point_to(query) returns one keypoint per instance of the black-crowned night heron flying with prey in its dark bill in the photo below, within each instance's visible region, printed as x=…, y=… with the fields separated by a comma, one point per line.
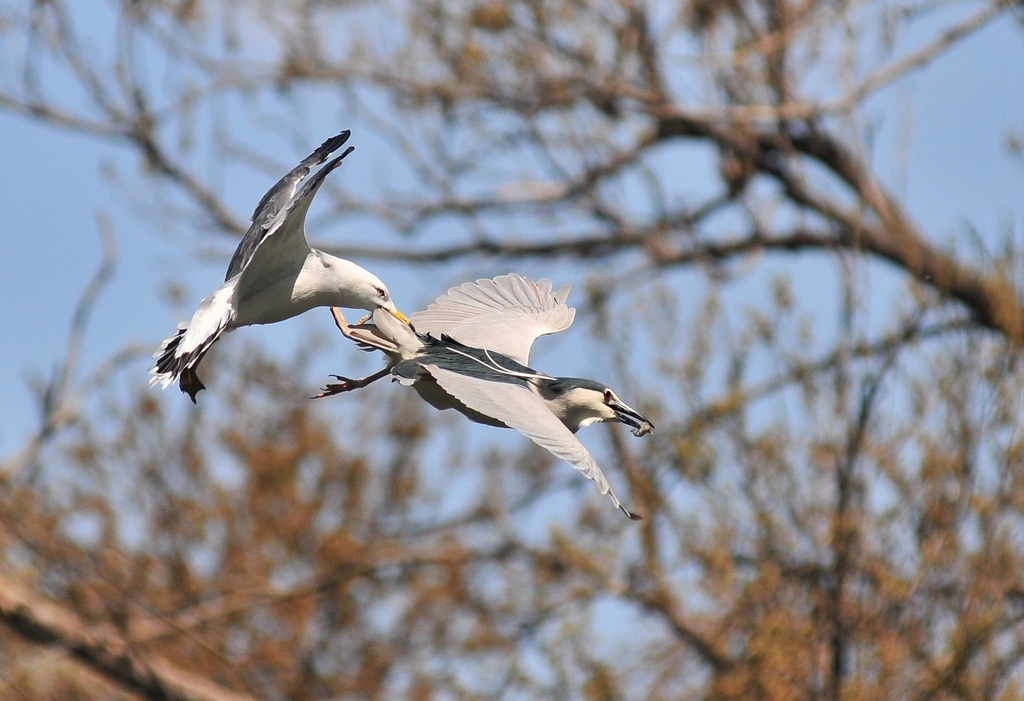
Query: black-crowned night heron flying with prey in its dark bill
x=470, y=352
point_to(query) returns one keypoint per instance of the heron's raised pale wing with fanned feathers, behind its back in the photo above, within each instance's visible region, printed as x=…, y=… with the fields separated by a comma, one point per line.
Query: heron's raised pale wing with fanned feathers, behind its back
x=504, y=315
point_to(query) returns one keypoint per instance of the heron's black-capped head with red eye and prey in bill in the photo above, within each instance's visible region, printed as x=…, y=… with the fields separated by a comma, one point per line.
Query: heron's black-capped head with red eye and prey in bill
x=580, y=403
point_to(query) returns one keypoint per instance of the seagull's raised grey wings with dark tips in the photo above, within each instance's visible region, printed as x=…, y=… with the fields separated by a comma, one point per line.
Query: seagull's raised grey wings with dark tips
x=281, y=213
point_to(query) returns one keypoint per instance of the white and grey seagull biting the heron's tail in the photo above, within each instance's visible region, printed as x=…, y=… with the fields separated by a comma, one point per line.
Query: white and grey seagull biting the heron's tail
x=274, y=276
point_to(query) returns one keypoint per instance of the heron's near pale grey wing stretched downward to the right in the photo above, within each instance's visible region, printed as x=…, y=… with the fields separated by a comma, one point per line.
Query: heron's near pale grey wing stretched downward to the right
x=517, y=407
